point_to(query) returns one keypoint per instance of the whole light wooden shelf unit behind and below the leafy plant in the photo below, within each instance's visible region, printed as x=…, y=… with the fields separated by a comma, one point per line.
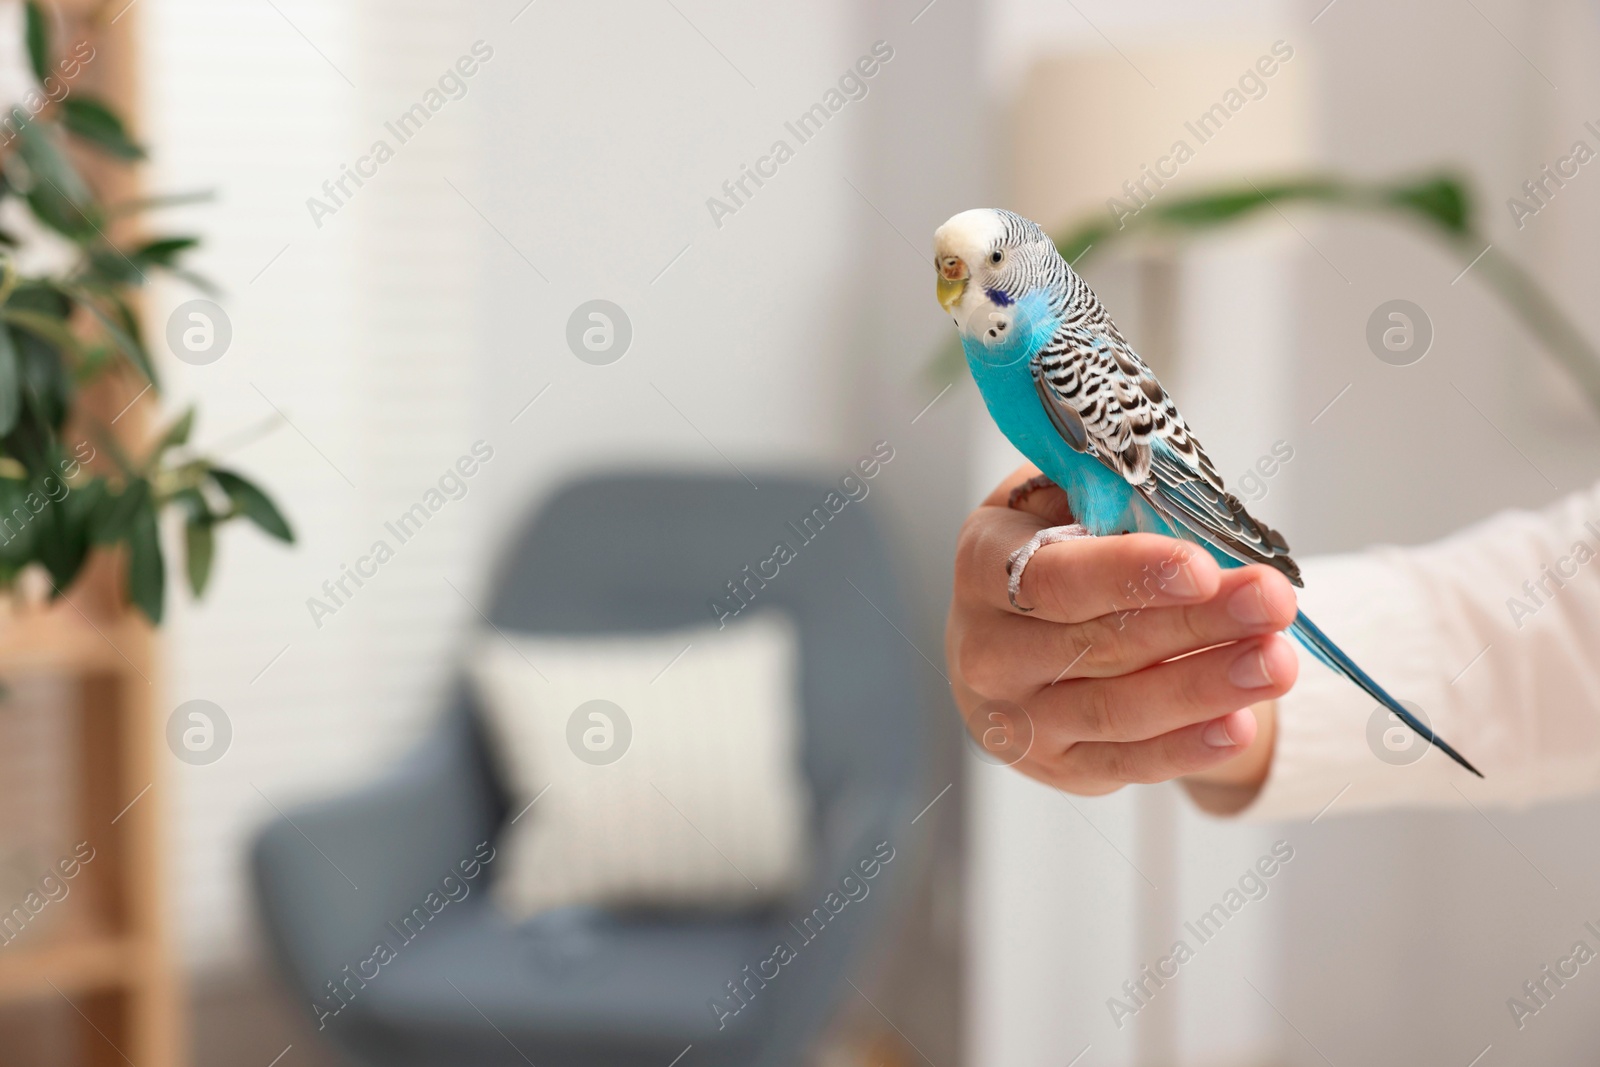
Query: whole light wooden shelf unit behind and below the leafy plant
x=110, y=953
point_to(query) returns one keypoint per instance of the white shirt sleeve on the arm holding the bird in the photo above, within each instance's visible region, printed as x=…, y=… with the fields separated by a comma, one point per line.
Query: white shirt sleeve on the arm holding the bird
x=1494, y=634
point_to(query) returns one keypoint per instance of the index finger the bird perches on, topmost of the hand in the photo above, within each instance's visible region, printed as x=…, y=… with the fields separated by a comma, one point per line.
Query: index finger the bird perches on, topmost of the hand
x=1082, y=580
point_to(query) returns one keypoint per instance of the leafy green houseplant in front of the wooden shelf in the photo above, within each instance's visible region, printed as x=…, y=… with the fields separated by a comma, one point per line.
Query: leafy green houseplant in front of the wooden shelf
x=68, y=486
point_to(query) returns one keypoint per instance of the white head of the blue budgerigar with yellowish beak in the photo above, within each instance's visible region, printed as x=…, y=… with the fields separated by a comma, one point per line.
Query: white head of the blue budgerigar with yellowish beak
x=991, y=266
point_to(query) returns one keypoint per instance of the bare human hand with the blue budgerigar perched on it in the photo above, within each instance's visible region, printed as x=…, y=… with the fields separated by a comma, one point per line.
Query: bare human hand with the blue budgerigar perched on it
x=1138, y=661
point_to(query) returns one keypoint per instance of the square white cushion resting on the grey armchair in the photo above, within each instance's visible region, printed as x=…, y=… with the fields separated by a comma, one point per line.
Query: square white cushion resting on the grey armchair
x=703, y=805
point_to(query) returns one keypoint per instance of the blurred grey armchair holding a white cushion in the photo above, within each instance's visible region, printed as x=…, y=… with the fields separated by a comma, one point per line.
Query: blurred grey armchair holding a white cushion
x=588, y=986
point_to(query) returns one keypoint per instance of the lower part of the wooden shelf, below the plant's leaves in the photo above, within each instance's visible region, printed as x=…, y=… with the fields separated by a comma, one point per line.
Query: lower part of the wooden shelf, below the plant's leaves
x=108, y=957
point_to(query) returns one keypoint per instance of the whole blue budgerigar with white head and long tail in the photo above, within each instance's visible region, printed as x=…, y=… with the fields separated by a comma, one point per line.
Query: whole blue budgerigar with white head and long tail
x=1079, y=402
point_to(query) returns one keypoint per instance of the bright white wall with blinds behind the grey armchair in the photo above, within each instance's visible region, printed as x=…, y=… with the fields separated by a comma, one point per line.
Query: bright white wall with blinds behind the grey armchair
x=410, y=326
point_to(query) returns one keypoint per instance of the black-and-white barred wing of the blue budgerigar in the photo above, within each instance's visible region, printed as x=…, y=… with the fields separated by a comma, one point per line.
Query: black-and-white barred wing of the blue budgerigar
x=1108, y=404
